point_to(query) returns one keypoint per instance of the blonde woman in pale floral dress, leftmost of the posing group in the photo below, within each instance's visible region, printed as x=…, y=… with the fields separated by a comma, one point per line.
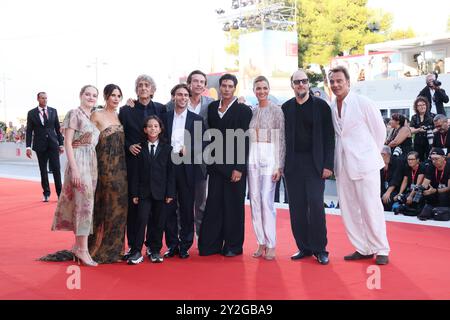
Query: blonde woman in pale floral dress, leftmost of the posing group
x=74, y=211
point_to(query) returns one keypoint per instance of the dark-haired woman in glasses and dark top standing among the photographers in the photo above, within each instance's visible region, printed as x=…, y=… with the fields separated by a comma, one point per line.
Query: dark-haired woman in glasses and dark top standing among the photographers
x=422, y=127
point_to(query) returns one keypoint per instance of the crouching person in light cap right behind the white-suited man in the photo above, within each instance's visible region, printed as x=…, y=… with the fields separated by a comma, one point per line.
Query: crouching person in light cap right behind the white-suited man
x=390, y=177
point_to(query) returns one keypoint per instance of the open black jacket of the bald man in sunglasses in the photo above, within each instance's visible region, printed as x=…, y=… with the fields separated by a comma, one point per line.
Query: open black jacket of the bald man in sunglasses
x=323, y=135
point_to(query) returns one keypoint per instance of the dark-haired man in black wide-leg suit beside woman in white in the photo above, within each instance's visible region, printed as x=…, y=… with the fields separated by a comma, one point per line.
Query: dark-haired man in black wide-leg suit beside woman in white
x=222, y=228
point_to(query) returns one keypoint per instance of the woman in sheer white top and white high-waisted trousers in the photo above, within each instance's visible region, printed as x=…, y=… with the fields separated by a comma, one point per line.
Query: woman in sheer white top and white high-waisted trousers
x=266, y=159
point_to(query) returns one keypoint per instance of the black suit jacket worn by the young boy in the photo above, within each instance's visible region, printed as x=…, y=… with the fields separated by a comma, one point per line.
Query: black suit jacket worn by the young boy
x=153, y=177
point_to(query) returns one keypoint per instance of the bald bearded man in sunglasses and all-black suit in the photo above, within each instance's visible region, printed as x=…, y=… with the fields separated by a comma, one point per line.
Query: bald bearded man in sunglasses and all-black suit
x=309, y=161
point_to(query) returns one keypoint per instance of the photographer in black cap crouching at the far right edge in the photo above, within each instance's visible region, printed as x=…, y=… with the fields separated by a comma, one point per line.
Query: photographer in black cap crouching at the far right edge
x=436, y=184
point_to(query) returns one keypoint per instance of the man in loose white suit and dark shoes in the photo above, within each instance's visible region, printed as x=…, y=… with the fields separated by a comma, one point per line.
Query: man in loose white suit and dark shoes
x=360, y=134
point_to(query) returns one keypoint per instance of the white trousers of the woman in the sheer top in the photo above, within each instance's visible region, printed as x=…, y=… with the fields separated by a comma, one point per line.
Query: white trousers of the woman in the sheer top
x=262, y=193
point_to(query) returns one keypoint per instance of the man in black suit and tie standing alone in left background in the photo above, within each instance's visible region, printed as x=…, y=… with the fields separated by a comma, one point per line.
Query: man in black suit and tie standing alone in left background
x=43, y=132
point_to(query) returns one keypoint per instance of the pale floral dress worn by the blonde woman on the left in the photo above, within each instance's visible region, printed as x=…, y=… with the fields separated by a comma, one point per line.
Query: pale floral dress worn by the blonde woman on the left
x=75, y=205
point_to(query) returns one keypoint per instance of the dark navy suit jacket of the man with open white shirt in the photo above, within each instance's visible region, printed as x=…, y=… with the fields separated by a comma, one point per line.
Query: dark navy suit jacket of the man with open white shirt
x=194, y=150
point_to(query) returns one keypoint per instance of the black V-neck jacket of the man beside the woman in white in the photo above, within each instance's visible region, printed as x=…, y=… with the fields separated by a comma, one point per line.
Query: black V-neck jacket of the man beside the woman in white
x=238, y=116
